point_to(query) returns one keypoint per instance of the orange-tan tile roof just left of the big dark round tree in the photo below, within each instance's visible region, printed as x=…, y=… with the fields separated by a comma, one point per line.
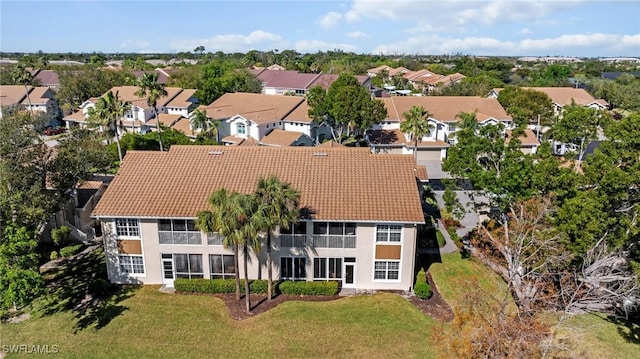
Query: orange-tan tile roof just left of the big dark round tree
x=258, y=108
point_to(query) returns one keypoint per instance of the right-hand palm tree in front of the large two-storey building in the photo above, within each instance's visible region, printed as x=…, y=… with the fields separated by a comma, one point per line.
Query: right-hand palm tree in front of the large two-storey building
x=279, y=203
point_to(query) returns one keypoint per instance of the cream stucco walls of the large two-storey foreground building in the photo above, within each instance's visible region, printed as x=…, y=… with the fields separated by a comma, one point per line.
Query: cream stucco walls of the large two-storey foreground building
x=364, y=253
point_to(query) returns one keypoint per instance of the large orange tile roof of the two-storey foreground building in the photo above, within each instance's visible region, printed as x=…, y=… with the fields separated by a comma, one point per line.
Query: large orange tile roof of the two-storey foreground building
x=336, y=184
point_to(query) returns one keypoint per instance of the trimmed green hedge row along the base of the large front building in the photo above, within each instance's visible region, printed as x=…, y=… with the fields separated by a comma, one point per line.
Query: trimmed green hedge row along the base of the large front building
x=184, y=285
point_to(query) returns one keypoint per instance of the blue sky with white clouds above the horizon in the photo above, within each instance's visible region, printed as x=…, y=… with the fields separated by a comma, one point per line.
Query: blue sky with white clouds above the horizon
x=489, y=27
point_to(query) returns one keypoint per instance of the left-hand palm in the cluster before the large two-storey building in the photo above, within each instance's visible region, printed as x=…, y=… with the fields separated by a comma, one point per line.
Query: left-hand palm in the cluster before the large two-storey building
x=227, y=218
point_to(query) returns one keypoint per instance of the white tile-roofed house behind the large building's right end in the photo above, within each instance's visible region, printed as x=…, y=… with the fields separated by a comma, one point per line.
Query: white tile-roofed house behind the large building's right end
x=443, y=111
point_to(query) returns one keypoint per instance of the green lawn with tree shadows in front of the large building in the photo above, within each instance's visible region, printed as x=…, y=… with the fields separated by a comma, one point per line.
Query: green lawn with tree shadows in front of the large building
x=140, y=321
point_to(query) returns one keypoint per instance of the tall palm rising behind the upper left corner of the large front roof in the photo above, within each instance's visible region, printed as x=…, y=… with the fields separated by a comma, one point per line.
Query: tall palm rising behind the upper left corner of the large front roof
x=108, y=112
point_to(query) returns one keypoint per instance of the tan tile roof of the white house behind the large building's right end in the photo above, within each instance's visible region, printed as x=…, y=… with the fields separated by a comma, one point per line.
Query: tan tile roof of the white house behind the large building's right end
x=445, y=108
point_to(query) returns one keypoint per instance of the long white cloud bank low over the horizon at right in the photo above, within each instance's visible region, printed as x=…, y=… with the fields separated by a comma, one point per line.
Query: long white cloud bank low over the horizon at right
x=594, y=44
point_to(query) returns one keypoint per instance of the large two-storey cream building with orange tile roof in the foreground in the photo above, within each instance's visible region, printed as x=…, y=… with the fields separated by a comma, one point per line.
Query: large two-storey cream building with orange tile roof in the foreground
x=360, y=213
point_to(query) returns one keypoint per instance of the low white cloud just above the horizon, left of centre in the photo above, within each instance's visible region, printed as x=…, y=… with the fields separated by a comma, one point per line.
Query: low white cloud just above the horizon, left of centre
x=255, y=40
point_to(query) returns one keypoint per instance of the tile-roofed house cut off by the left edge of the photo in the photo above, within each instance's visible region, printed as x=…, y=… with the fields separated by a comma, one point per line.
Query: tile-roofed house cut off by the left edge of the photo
x=40, y=99
